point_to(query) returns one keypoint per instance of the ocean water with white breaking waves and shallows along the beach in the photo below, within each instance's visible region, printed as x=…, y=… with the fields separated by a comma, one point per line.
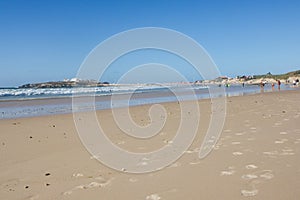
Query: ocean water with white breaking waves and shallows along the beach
x=16, y=103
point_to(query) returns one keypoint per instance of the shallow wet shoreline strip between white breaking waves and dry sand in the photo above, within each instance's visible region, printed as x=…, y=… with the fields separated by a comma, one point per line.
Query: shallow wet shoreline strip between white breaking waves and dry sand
x=63, y=105
